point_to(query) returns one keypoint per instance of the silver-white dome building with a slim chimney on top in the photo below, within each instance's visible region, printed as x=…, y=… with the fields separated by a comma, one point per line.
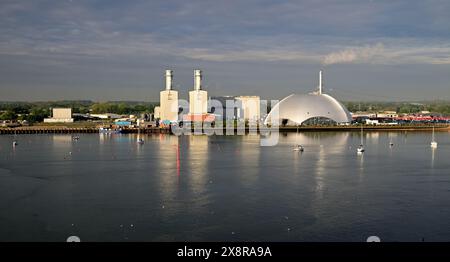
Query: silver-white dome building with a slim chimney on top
x=297, y=108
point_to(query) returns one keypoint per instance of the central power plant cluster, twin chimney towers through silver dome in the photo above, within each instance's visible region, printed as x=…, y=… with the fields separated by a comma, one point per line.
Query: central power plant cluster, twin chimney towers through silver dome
x=292, y=110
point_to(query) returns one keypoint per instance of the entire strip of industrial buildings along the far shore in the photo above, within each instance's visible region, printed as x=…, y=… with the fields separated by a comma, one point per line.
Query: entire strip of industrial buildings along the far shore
x=316, y=108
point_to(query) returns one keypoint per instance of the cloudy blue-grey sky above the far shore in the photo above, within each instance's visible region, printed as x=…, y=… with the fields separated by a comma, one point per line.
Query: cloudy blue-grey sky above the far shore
x=105, y=50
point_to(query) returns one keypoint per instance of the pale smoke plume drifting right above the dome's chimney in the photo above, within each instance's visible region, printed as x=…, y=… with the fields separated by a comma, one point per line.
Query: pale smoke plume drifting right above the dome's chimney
x=354, y=55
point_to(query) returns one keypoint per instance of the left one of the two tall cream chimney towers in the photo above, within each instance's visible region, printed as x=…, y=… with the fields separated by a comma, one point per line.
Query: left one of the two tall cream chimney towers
x=169, y=100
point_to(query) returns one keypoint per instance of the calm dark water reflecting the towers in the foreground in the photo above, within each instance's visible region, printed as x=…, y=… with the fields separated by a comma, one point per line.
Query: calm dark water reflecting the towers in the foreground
x=225, y=188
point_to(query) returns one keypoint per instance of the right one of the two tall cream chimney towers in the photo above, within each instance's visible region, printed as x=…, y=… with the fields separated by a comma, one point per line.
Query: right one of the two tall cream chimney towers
x=198, y=98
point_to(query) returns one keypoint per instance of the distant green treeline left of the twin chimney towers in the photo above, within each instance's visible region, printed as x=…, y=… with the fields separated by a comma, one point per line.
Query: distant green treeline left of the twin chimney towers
x=37, y=111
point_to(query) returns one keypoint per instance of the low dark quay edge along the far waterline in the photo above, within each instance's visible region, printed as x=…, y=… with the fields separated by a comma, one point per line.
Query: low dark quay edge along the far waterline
x=154, y=130
